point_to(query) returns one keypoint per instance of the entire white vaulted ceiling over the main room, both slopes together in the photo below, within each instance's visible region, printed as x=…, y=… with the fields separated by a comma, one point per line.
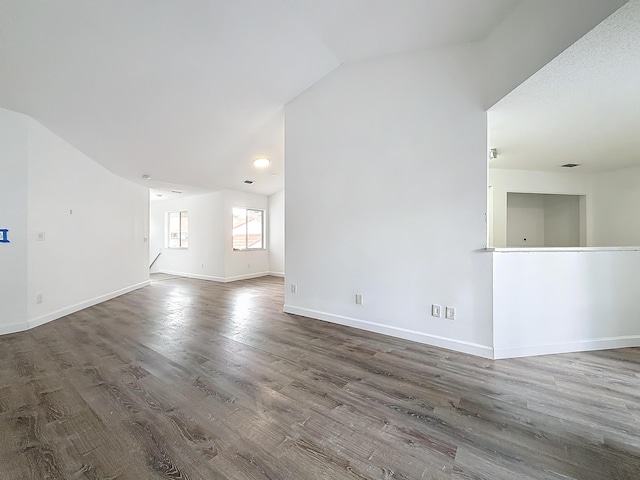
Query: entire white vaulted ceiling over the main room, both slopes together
x=190, y=92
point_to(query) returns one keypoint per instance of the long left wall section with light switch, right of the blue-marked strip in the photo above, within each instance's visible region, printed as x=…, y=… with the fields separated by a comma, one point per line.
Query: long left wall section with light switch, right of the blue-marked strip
x=95, y=227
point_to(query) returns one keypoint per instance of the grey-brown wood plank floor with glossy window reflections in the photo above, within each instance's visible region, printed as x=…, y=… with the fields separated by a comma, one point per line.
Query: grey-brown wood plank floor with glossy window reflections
x=197, y=380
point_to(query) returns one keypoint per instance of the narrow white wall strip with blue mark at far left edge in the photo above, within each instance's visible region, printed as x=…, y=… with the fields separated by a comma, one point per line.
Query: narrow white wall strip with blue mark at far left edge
x=13, y=216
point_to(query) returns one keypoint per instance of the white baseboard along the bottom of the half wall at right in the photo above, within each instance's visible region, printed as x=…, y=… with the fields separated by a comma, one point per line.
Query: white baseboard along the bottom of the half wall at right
x=605, y=343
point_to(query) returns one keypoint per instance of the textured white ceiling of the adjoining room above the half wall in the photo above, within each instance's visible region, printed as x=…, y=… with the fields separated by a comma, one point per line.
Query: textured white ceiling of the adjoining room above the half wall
x=583, y=107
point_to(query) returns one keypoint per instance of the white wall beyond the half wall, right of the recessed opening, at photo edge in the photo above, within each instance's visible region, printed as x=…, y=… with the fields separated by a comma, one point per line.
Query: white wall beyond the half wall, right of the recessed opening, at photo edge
x=617, y=207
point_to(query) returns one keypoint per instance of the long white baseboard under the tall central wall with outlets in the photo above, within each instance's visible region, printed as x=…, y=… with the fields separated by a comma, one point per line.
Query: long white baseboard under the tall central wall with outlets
x=420, y=337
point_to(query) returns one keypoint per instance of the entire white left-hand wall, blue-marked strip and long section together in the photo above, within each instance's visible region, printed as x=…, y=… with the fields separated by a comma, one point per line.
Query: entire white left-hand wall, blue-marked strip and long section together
x=97, y=252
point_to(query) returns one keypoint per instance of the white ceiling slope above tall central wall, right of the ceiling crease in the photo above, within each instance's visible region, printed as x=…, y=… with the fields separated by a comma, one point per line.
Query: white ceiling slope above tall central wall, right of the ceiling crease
x=354, y=30
